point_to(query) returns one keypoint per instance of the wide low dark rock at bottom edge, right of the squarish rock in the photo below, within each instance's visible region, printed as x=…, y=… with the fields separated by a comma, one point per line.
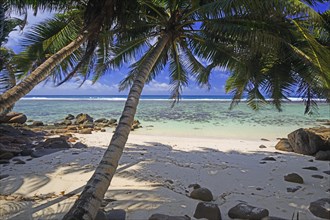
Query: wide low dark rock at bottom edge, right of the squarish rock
x=245, y=211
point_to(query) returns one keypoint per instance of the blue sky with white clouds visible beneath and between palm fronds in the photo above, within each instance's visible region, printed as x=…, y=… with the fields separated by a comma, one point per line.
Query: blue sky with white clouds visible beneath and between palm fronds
x=108, y=85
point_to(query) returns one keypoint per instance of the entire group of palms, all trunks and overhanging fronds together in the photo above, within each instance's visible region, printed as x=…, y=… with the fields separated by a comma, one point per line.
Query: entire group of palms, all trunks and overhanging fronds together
x=272, y=48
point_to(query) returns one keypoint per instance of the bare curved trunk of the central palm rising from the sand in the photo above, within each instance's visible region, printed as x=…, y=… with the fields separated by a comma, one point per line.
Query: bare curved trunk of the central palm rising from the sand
x=87, y=205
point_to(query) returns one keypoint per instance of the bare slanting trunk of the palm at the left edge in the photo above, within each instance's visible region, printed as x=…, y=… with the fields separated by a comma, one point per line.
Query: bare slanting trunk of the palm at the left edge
x=12, y=95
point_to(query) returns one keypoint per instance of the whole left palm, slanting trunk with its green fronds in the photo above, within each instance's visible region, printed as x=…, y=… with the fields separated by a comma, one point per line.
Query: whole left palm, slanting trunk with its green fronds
x=97, y=16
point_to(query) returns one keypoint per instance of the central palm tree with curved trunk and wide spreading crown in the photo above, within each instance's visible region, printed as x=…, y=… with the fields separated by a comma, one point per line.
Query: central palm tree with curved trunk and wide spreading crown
x=182, y=34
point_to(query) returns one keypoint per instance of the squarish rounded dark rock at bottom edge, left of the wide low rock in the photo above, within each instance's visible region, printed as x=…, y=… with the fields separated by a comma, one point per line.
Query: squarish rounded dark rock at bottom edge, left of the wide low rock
x=208, y=211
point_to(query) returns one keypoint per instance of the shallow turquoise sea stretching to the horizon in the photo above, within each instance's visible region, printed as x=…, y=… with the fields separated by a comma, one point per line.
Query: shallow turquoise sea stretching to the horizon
x=198, y=116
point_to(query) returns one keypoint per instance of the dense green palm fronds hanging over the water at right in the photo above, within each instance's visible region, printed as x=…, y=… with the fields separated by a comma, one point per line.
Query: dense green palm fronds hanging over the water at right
x=298, y=60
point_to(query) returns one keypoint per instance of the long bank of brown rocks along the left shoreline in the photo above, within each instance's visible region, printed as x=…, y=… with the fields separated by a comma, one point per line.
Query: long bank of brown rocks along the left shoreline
x=19, y=139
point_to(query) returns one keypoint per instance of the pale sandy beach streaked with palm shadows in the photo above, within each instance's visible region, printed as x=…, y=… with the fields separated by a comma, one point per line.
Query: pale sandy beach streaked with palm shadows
x=154, y=175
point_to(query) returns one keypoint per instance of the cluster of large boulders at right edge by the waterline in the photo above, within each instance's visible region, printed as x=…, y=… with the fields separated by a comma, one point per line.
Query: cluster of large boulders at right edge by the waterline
x=312, y=141
